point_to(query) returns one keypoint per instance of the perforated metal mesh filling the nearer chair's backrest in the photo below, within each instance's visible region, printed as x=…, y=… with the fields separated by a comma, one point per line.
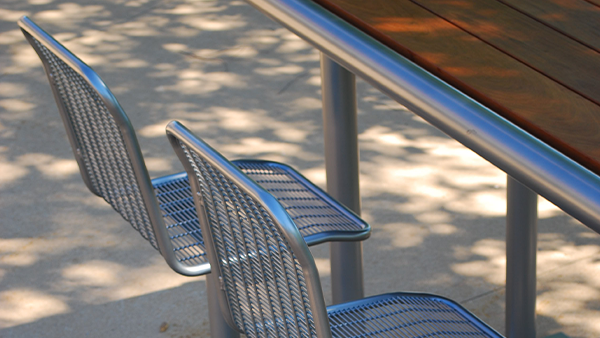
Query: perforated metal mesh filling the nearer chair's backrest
x=263, y=280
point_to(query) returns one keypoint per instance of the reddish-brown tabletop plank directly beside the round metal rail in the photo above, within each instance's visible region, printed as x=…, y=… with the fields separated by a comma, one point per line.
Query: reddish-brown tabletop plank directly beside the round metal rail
x=549, y=110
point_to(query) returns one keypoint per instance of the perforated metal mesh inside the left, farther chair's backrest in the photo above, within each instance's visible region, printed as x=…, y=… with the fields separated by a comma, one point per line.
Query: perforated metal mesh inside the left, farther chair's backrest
x=99, y=142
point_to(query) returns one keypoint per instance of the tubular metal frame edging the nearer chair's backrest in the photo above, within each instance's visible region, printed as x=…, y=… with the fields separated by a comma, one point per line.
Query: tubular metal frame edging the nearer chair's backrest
x=180, y=136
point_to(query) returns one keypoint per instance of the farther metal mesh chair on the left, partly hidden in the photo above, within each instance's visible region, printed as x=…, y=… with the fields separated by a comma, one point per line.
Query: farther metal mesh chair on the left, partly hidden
x=162, y=210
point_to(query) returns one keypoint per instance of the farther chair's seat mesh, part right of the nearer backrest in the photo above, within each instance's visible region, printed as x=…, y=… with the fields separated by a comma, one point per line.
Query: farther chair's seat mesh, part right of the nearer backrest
x=311, y=213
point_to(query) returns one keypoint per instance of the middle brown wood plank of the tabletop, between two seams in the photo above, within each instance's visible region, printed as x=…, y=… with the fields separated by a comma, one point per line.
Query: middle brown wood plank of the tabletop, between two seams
x=561, y=58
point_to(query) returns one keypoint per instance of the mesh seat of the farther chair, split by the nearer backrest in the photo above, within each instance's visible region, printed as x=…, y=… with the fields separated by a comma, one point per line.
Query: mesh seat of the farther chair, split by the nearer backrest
x=318, y=217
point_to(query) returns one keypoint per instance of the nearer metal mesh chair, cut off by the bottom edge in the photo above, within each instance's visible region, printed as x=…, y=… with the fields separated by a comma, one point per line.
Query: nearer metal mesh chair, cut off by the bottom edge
x=269, y=282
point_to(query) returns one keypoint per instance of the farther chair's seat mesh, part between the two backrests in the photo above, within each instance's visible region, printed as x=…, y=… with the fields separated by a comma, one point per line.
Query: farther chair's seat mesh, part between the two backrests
x=179, y=213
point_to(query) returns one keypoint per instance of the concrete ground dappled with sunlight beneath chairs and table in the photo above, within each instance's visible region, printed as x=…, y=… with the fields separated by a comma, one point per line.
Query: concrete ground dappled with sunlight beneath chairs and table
x=71, y=267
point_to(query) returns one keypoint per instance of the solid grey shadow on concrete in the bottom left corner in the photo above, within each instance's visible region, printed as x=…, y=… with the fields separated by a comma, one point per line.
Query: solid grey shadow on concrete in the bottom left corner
x=177, y=318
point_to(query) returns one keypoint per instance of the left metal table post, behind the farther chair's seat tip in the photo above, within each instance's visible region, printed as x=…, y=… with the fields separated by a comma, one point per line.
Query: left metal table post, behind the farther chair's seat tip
x=341, y=163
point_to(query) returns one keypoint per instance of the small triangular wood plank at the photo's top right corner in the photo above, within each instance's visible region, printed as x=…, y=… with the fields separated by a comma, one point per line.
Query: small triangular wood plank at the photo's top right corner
x=577, y=19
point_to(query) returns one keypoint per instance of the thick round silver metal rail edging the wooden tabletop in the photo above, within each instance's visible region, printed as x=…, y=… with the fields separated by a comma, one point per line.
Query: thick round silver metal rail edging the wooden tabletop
x=562, y=181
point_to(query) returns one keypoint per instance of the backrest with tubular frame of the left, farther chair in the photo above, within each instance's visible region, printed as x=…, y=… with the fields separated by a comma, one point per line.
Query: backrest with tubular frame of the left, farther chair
x=103, y=141
